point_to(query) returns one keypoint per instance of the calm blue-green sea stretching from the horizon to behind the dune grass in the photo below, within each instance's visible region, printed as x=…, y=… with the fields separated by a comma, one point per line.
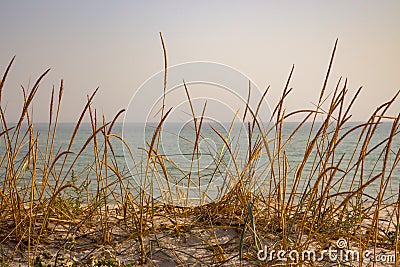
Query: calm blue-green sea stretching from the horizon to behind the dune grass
x=197, y=168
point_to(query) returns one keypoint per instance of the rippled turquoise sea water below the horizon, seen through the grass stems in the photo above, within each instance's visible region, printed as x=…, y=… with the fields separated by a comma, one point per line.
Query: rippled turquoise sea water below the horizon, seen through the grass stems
x=212, y=168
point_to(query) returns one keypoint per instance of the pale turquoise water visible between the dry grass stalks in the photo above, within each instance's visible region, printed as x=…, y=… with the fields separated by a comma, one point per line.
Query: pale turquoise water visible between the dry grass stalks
x=176, y=145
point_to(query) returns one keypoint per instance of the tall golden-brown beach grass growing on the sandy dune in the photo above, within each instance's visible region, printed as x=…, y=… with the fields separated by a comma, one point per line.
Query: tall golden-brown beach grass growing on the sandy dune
x=53, y=212
